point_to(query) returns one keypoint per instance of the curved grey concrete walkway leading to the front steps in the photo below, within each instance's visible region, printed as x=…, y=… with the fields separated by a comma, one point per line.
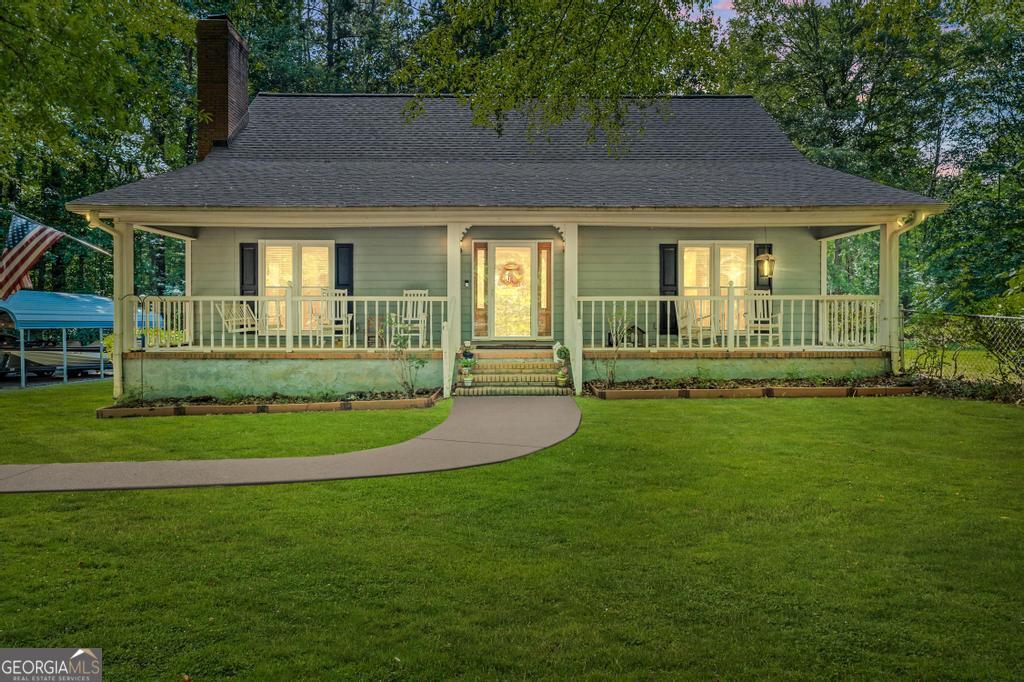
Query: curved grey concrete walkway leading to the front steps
x=480, y=431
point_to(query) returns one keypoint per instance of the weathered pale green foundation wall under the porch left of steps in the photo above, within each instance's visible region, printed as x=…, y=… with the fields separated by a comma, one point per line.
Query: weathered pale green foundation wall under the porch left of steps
x=152, y=379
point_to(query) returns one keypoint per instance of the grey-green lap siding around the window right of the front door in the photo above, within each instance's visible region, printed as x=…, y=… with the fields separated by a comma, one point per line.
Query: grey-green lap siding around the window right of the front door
x=624, y=262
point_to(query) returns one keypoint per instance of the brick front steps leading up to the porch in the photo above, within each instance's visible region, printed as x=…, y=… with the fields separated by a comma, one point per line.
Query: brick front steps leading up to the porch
x=513, y=372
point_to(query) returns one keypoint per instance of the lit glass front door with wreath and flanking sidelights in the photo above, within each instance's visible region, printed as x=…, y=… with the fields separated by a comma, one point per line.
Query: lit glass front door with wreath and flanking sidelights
x=513, y=290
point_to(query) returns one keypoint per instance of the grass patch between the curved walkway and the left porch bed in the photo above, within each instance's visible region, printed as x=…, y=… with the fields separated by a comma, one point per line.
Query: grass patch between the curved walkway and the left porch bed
x=45, y=418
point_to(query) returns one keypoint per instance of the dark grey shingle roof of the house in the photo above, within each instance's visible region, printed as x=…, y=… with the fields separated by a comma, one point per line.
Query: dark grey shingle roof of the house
x=359, y=151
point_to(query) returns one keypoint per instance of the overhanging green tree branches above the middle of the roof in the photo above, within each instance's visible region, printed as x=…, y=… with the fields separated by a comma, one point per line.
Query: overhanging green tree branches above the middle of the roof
x=553, y=61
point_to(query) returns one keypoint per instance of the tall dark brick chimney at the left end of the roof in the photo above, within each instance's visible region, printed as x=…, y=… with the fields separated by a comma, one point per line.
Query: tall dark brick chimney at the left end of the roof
x=223, y=60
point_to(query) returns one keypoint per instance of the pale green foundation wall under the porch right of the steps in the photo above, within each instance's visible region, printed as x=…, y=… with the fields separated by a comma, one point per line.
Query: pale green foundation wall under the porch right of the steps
x=764, y=368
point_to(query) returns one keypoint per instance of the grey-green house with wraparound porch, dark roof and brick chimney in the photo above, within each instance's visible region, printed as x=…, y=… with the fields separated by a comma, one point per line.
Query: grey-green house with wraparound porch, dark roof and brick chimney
x=316, y=227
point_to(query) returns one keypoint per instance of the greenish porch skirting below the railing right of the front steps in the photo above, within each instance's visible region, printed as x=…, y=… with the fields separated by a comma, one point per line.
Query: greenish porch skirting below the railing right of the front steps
x=738, y=365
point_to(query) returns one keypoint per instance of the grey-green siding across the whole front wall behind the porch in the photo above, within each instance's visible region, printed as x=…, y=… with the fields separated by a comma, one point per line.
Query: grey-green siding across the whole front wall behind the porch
x=613, y=262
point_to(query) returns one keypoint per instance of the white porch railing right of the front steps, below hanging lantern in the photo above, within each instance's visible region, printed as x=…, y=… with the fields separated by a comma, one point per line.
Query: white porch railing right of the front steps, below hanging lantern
x=737, y=321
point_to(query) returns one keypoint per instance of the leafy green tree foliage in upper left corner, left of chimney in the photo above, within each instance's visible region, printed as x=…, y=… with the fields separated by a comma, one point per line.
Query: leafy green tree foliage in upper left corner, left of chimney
x=74, y=70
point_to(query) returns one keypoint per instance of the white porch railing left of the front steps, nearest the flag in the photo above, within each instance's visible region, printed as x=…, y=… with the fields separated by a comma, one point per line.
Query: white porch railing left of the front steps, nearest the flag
x=286, y=323
